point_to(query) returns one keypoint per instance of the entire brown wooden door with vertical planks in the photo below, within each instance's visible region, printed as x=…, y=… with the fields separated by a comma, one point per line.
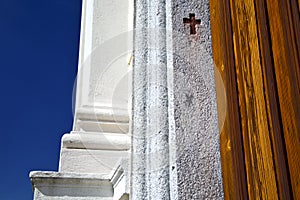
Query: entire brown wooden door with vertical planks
x=256, y=46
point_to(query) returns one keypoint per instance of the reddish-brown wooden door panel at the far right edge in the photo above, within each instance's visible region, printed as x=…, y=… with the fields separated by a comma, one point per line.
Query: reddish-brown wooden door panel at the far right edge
x=284, y=29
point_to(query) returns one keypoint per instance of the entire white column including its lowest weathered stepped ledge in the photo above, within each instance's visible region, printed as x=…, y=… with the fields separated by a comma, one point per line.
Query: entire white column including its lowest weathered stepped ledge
x=94, y=156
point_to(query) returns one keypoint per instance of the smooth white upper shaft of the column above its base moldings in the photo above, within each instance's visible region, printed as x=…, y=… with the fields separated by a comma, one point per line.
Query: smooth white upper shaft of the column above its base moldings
x=105, y=52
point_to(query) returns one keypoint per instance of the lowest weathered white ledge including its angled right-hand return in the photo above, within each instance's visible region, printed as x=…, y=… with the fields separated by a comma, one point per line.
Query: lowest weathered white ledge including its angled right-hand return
x=82, y=186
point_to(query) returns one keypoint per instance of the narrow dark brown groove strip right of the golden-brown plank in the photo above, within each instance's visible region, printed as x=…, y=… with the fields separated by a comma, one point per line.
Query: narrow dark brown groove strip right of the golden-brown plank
x=274, y=115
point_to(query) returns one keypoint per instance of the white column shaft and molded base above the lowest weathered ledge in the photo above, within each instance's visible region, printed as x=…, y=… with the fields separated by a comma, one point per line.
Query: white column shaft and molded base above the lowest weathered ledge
x=101, y=119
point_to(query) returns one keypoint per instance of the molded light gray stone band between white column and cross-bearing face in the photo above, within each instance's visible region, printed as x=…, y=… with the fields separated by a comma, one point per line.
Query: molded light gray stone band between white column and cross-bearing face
x=150, y=154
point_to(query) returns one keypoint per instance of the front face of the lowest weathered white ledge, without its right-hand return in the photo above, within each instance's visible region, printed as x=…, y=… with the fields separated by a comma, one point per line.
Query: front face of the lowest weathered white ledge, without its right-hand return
x=71, y=186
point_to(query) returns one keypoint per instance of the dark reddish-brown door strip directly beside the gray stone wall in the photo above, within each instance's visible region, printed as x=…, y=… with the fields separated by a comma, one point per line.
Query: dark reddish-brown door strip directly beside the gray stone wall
x=234, y=176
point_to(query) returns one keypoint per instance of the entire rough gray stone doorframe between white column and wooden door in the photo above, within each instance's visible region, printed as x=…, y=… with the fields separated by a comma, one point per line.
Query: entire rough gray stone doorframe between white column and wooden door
x=175, y=137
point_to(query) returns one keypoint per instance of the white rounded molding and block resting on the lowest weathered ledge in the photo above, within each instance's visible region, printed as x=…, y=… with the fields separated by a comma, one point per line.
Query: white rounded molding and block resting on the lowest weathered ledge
x=83, y=152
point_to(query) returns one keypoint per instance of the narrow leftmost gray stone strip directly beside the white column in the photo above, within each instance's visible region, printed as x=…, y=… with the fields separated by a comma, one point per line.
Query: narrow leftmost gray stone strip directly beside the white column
x=139, y=113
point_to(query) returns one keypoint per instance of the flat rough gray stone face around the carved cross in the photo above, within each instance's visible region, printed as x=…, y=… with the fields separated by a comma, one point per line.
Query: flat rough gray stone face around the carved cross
x=195, y=110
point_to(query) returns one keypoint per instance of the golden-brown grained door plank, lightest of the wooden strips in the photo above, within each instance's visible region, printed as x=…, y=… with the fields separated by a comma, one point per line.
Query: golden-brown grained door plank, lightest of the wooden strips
x=258, y=153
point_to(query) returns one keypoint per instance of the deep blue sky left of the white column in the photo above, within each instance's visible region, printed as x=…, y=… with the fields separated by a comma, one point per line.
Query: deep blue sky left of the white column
x=39, y=42
